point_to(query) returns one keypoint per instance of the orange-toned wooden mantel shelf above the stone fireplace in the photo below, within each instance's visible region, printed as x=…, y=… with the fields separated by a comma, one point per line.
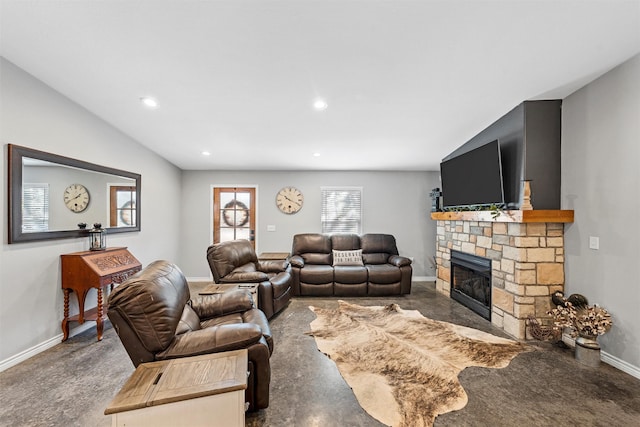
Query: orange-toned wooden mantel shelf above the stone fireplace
x=506, y=216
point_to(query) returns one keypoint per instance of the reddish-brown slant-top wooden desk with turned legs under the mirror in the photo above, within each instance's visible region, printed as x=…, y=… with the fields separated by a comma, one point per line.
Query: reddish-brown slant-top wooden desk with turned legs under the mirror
x=82, y=271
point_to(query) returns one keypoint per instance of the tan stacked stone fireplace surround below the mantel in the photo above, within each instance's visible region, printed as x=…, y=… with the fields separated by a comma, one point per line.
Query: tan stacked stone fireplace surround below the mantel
x=527, y=265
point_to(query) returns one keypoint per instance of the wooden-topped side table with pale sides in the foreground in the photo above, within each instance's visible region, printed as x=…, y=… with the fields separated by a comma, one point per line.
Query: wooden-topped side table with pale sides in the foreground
x=205, y=390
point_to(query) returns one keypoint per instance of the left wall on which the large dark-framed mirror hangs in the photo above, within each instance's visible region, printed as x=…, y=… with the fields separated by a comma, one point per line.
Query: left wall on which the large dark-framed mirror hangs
x=34, y=115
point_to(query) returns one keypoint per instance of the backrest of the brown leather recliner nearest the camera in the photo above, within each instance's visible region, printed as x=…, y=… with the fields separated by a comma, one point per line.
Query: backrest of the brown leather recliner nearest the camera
x=151, y=304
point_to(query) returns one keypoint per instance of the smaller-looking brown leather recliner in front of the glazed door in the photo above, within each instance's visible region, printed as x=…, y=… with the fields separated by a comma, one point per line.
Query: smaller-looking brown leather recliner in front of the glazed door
x=236, y=262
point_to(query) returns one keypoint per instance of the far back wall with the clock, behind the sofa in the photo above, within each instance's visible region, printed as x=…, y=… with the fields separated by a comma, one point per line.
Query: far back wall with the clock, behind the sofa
x=396, y=203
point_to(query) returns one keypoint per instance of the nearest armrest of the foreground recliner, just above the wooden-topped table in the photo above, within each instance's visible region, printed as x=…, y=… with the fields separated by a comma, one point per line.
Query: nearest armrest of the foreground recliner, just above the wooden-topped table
x=214, y=339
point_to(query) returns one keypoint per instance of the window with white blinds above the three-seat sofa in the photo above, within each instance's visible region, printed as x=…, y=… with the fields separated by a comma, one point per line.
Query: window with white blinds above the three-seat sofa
x=341, y=210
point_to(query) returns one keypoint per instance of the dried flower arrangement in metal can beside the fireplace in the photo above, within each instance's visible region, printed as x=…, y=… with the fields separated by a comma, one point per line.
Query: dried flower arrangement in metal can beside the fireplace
x=587, y=323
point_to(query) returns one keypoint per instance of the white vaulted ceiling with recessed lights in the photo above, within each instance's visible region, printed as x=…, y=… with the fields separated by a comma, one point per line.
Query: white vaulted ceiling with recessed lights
x=406, y=82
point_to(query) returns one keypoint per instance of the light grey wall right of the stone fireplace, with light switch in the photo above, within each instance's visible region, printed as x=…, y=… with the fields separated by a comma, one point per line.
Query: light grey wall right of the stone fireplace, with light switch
x=601, y=182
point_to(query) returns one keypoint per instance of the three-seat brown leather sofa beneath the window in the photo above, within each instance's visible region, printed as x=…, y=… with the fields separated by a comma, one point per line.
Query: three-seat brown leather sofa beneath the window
x=381, y=271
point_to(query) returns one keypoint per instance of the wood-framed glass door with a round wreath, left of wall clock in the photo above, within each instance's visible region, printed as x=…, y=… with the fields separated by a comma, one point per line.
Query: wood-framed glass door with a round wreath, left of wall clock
x=234, y=214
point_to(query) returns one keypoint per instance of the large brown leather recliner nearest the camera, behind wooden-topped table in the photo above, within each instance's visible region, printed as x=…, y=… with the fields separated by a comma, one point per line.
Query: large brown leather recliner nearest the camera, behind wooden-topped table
x=156, y=320
